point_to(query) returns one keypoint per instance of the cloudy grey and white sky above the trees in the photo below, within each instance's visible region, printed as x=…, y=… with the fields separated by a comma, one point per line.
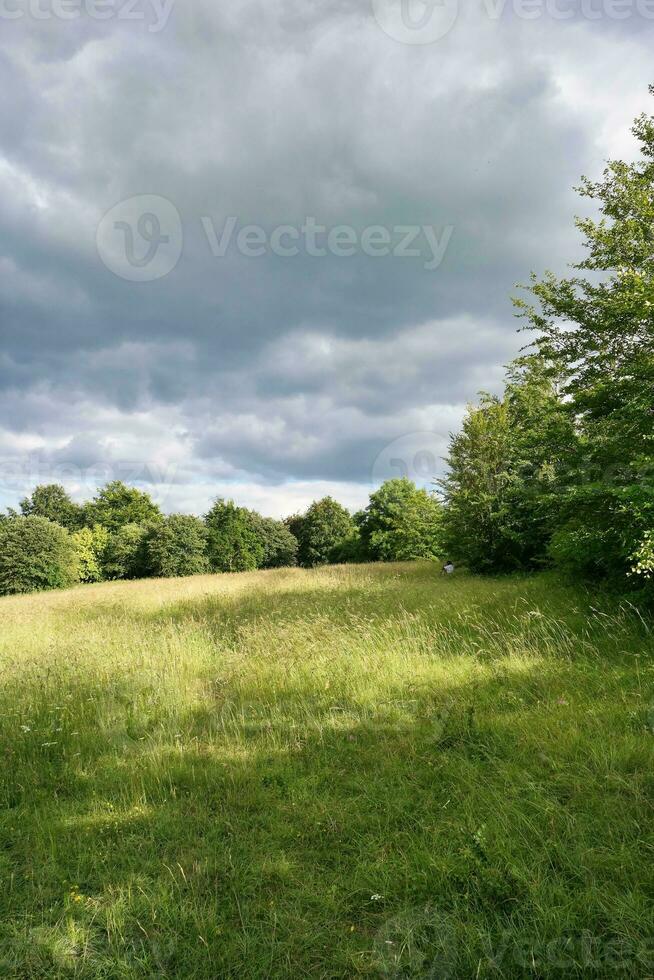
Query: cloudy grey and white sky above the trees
x=266, y=250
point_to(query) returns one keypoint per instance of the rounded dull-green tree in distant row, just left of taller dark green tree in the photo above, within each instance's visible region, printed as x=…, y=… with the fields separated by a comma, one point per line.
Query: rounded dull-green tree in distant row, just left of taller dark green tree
x=177, y=546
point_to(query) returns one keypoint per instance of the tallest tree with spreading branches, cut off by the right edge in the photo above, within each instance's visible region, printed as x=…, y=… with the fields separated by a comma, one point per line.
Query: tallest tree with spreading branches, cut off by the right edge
x=599, y=329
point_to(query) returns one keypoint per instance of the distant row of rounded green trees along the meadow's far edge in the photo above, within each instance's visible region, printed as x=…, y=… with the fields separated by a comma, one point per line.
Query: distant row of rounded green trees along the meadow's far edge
x=52, y=542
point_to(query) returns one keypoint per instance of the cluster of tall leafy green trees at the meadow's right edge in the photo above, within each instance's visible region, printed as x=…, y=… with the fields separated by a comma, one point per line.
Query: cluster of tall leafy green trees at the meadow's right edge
x=559, y=470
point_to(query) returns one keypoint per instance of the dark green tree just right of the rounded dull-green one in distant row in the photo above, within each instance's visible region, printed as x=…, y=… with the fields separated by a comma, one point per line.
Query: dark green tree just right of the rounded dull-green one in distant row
x=233, y=542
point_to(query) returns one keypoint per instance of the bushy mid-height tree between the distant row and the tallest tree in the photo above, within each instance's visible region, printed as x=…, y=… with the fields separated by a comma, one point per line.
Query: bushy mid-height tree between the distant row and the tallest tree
x=507, y=469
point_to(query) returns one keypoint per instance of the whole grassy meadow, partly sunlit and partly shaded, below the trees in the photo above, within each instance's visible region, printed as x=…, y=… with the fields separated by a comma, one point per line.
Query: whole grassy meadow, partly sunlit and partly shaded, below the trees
x=353, y=772
